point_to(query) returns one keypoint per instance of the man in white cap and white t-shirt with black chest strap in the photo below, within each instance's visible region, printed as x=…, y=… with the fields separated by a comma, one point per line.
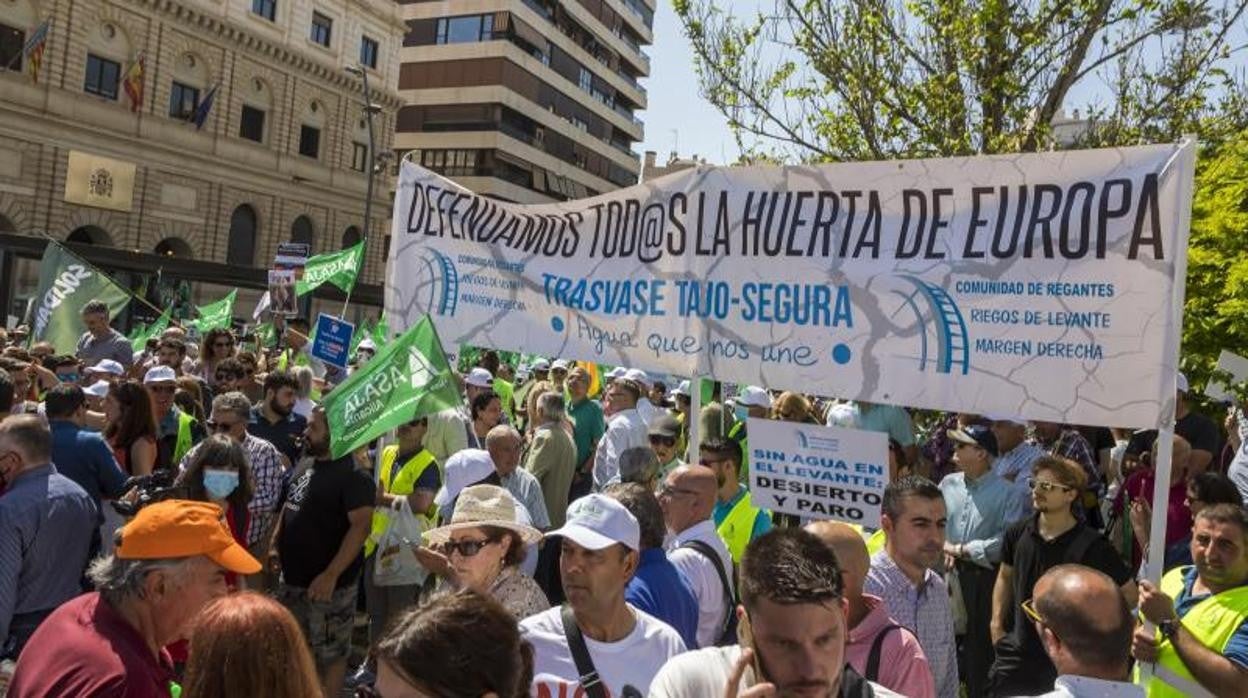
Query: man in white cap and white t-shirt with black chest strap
x=598, y=637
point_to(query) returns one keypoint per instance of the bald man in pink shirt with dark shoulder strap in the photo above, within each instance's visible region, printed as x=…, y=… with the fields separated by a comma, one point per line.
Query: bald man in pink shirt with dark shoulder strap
x=878, y=647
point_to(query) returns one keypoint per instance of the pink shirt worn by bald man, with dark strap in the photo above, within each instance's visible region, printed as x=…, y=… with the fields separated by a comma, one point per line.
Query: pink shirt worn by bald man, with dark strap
x=903, y=664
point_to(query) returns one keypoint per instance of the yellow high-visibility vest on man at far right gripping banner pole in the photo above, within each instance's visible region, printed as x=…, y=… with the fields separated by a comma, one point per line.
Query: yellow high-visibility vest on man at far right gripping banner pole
x=1212, y=622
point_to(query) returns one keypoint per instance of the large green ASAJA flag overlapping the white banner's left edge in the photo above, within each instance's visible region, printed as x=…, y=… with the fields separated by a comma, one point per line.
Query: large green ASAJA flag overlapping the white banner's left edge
x=407, y=379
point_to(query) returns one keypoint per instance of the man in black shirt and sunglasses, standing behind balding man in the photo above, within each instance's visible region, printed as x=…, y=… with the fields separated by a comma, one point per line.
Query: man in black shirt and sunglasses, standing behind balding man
x=1054, y=536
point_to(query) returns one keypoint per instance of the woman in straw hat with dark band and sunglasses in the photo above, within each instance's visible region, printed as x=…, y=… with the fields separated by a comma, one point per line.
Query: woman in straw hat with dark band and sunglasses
x=482, y=550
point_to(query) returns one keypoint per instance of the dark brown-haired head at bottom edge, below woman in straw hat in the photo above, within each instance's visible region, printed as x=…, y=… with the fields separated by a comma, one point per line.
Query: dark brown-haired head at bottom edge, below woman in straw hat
x=460, y=646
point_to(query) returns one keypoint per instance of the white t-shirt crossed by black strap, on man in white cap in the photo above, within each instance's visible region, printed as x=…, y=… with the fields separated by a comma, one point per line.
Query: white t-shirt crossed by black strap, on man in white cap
x=626, y=667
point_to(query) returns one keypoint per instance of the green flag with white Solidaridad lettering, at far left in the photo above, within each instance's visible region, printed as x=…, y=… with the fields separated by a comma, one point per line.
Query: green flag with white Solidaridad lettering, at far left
x=66, y=285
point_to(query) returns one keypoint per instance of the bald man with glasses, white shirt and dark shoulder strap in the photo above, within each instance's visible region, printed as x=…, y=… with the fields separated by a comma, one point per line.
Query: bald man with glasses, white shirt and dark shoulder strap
x=696, y=549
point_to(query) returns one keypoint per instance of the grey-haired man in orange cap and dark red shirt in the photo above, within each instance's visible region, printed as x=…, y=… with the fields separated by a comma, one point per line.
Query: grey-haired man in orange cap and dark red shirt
x=170, y=563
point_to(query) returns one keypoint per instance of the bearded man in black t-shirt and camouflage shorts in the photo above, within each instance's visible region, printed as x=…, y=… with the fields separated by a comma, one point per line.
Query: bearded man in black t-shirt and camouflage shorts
x=325, y=524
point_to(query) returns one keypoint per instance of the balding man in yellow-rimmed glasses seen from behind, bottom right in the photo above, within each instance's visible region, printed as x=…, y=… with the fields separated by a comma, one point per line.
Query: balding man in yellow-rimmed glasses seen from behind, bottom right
x=1086, y=626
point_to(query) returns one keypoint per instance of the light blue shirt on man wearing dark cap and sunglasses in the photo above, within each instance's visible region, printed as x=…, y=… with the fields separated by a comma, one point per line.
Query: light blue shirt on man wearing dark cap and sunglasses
x=979, y=514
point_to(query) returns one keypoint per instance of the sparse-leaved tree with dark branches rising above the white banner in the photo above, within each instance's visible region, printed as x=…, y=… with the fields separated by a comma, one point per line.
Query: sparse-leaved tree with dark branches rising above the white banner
x=827, y=81
